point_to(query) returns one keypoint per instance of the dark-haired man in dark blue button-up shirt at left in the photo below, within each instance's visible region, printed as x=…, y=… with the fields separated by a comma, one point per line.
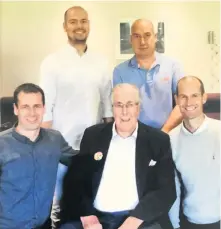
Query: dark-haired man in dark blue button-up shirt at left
x=29, y=157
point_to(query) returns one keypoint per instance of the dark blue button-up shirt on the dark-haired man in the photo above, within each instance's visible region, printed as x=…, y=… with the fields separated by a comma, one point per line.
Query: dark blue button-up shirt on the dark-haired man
x=27, y=177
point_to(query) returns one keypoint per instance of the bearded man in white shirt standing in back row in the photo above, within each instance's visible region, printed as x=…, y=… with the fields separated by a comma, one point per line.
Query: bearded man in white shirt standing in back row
x=77, y=88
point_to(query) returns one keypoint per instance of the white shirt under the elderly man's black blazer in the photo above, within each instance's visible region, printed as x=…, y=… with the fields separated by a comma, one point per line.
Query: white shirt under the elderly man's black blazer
x=118, y=188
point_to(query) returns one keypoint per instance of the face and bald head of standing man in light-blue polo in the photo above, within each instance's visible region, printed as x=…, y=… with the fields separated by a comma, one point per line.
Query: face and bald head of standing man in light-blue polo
x=143, y=38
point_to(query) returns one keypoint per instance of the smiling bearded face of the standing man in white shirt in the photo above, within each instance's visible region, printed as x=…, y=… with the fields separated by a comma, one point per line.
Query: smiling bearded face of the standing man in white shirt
x=76, y=25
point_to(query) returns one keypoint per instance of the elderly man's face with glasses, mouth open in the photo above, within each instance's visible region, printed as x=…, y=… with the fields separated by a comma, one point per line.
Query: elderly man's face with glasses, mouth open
x=125, y=109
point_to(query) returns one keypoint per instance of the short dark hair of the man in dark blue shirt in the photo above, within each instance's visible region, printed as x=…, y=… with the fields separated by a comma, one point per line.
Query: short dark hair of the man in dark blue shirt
x=28, y=88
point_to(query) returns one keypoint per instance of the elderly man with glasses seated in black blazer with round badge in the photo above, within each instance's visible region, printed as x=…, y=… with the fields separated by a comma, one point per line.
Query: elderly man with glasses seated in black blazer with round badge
x=123, y=177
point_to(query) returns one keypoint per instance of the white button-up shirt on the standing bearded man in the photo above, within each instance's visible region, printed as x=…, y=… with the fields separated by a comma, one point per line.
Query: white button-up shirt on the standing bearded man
x=77, y=90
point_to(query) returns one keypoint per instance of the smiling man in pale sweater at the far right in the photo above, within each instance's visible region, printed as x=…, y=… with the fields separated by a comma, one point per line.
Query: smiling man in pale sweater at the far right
x=196, y=153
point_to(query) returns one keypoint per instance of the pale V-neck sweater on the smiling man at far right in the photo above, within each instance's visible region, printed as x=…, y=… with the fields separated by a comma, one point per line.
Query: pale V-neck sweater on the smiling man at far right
x=197, y=158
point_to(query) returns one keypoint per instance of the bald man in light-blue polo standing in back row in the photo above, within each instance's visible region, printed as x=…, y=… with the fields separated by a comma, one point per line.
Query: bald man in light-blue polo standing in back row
x=154, y=74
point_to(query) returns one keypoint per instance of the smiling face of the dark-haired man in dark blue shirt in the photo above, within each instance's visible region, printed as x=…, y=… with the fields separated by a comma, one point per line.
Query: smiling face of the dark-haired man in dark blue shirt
x=30, y=111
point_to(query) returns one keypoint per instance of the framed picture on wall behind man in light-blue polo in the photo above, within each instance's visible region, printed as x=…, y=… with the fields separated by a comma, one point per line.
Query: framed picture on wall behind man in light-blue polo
x=123, y=46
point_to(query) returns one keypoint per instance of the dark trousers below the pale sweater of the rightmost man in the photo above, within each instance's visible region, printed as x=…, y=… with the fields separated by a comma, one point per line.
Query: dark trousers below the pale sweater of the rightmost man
x=185, y=224
